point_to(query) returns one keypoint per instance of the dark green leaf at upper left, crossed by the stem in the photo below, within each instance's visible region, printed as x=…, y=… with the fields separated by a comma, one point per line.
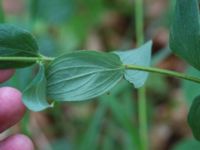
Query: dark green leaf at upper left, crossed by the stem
x=16, y=42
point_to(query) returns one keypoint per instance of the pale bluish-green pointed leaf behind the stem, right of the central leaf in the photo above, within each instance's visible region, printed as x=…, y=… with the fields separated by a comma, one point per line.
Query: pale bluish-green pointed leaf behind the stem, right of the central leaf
x=140, y=56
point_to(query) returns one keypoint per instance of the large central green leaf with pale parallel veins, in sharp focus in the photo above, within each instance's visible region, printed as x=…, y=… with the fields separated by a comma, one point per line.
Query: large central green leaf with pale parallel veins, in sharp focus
x=83, y=75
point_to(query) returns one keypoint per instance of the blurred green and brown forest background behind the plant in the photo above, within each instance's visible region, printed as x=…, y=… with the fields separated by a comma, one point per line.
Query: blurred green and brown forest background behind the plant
x=111, y=122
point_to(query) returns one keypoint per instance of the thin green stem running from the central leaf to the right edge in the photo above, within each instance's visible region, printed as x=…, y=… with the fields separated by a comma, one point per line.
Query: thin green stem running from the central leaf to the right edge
x=164, y=72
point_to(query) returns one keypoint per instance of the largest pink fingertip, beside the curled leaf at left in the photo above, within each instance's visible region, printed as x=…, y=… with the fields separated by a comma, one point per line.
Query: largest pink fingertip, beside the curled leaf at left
x=11, y=107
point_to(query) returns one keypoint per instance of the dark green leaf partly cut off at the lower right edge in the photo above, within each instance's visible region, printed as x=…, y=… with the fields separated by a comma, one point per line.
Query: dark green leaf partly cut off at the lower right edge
x=193, y=118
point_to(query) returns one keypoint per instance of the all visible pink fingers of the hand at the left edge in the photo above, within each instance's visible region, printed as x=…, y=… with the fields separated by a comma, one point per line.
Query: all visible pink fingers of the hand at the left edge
x=11, y=112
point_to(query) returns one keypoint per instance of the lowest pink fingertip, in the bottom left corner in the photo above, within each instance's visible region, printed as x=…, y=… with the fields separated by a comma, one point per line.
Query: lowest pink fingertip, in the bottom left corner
x=17, y=142
